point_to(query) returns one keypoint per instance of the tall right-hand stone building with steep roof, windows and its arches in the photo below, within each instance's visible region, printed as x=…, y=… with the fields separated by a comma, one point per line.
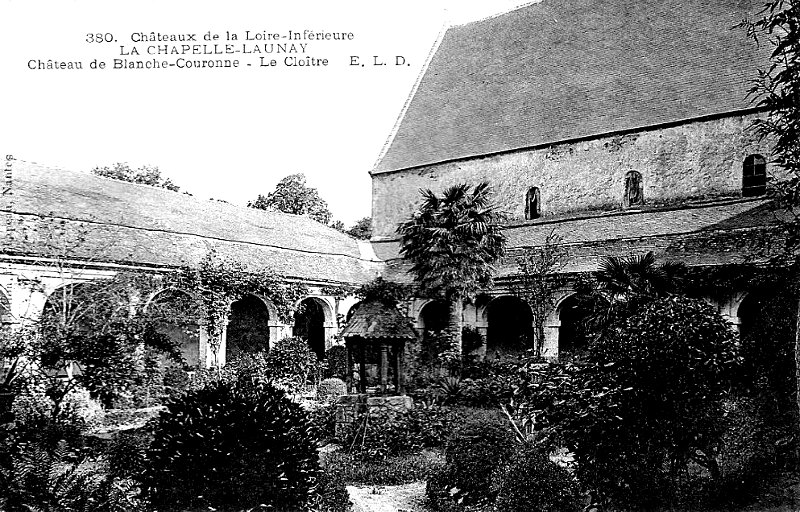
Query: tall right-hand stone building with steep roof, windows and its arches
x=621, y=126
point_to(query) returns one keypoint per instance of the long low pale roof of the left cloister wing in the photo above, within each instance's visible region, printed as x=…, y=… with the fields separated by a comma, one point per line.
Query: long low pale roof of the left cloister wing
x=129, y=223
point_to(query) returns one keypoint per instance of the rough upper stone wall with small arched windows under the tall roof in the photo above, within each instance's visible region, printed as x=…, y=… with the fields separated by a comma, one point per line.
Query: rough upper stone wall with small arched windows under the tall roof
x=694, y=160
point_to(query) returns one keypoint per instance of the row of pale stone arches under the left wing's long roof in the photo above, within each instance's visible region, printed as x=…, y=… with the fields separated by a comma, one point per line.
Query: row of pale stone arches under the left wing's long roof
x=29, y=291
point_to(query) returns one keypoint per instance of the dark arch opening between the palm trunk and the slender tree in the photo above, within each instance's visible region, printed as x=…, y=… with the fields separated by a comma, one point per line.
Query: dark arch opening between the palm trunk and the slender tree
x=509, y=326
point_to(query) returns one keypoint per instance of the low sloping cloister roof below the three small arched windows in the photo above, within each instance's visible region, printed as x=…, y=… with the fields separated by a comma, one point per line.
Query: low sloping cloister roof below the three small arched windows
x=730, y=232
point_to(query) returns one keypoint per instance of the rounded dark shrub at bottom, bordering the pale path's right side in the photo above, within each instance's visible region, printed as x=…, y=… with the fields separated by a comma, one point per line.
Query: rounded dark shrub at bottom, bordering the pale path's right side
x=473, y=454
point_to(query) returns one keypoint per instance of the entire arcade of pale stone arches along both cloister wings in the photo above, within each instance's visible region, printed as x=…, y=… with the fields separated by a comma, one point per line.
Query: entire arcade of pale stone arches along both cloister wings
x=504, y=320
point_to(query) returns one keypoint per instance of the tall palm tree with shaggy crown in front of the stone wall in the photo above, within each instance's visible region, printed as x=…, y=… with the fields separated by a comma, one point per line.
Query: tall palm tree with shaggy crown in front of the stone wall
x=452, y=242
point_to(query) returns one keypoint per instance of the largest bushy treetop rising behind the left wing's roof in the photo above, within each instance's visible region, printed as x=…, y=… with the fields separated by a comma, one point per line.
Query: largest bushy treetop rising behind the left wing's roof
x=291, y=195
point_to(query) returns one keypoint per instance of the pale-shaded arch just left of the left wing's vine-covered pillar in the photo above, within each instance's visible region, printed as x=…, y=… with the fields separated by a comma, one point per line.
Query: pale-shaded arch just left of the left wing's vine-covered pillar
x=175, y=313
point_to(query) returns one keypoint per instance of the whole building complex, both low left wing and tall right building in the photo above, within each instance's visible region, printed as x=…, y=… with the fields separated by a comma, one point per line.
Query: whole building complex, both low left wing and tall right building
x=621, y=126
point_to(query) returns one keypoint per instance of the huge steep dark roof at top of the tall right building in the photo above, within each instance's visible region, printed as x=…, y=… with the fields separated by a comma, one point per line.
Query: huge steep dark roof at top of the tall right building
x=566, y=69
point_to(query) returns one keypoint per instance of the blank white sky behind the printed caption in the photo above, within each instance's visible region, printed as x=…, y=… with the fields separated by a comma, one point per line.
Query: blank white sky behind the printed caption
x=224, y=133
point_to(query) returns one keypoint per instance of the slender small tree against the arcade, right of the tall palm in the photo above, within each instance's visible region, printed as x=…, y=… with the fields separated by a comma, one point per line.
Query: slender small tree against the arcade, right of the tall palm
x=539, y=280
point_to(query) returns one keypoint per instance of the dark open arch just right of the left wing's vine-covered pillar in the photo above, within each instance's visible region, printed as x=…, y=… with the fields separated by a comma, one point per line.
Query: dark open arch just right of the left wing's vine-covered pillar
x=249, y=322
